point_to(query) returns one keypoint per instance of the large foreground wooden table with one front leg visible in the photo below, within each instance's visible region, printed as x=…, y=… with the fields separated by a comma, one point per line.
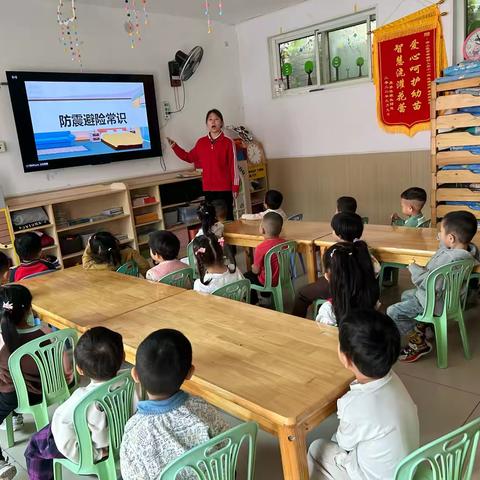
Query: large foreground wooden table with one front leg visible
x=254, y=363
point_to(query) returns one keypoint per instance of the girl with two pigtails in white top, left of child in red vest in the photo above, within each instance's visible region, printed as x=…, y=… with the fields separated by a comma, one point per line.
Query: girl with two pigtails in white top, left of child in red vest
x=210, y=257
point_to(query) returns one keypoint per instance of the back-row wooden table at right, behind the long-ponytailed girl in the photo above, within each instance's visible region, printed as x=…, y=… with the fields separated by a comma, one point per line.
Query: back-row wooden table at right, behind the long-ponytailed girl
x=397, y=244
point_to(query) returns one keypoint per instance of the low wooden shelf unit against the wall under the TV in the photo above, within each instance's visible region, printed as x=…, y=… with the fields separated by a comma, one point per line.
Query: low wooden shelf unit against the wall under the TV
x=90, y=201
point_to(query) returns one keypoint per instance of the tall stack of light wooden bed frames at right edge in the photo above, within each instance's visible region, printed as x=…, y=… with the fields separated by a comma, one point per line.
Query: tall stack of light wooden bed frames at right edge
x=448, y=131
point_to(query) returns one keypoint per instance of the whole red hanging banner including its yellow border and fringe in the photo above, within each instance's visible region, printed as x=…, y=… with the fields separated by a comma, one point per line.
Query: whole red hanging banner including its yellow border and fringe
x=408, y=55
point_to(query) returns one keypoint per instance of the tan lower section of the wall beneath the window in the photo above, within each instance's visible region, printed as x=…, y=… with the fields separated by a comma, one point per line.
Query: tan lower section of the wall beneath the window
x=375, y=180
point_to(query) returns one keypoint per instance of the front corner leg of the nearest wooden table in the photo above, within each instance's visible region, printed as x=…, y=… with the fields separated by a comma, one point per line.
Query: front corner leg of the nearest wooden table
x=293, y=448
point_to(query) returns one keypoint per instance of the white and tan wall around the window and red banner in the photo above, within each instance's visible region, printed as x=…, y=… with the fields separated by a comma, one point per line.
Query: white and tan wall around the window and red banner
x=327, y=143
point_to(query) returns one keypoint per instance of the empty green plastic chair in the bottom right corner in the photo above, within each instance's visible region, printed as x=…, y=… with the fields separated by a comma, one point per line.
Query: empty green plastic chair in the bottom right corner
x=450, y=457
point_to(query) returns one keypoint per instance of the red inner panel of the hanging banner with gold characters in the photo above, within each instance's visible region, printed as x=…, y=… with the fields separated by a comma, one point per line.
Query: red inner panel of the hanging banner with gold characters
x=406, y=68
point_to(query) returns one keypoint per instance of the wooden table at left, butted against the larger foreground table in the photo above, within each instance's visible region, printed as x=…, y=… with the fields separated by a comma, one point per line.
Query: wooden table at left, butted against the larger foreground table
x=75, y=297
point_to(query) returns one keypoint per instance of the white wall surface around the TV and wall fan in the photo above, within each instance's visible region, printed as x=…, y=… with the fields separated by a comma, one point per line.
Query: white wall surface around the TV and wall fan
x=29, y=41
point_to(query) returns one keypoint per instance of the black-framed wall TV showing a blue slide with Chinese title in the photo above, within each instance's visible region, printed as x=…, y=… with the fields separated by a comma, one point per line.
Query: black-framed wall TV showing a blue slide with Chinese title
x=72, y=119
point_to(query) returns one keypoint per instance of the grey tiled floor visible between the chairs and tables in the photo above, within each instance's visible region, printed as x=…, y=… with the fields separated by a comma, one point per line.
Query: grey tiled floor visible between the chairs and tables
x=446, y=399
